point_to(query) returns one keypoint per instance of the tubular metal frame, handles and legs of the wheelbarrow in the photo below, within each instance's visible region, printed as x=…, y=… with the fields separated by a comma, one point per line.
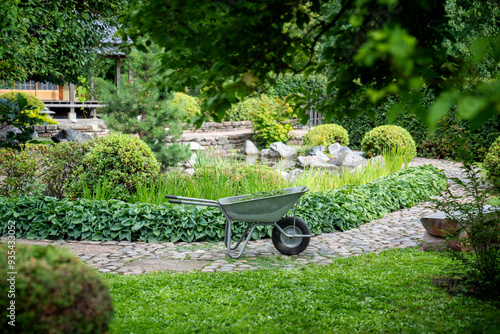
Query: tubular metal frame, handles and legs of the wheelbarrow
x=261, y=211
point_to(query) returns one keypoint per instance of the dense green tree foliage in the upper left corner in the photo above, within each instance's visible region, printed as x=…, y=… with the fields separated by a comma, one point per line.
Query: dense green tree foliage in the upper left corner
x=52, y=41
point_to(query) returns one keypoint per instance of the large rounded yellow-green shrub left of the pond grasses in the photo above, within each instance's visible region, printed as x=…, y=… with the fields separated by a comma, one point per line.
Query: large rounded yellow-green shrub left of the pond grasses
x=119, y=160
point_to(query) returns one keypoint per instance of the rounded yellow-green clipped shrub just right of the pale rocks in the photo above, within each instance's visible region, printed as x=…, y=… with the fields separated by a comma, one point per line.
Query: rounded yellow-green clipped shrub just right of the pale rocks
x=388, y=138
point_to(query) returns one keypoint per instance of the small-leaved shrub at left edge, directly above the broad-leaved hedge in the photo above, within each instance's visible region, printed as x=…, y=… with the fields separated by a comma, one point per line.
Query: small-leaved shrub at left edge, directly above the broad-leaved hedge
x=21, y=170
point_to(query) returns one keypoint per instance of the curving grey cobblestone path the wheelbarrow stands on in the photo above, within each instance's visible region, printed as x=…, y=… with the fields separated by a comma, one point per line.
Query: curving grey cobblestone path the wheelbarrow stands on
x=401, y=229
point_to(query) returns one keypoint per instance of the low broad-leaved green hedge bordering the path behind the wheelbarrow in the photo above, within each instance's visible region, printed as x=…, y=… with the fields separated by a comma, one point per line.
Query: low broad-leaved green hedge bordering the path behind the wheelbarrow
x=343, y=208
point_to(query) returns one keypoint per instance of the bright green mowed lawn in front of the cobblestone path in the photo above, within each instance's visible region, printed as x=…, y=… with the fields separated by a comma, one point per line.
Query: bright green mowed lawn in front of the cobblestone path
x=390, y=292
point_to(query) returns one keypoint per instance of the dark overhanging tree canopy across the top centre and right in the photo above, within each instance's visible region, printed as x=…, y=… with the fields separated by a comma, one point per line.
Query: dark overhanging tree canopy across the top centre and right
x=369, y=50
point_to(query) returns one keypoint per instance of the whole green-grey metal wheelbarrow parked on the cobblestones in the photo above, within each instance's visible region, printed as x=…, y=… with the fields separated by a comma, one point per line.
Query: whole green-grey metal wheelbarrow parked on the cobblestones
x=290, y=235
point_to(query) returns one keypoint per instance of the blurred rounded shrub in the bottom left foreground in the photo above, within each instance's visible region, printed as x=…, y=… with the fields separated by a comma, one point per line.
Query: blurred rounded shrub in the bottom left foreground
x=54, y=292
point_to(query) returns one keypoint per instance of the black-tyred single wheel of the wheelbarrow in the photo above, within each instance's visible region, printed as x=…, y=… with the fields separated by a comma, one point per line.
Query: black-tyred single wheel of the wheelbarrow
x=290, y=246
